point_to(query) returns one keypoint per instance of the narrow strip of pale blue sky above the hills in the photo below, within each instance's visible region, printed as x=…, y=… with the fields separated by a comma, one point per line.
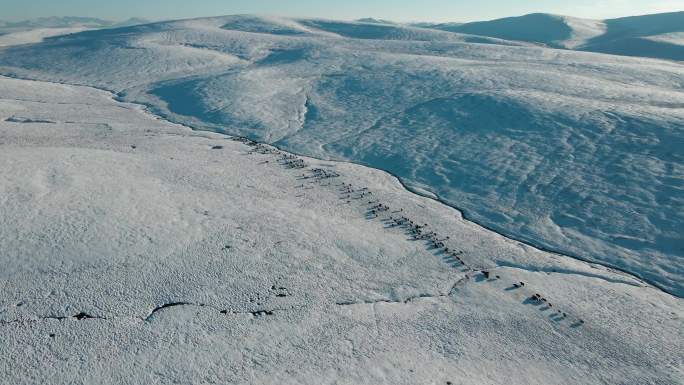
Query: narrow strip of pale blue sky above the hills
x=398, y=10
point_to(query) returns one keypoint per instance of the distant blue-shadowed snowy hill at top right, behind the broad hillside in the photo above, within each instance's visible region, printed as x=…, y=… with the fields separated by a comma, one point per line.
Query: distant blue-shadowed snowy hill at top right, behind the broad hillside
x=631, y=36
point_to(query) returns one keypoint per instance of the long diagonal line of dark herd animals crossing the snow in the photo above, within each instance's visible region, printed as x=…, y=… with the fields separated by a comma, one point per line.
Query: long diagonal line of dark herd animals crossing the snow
x=394, y=219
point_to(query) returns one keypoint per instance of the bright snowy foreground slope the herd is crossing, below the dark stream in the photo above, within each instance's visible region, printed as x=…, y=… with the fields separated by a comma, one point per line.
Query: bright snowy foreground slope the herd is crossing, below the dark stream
x=138, y=251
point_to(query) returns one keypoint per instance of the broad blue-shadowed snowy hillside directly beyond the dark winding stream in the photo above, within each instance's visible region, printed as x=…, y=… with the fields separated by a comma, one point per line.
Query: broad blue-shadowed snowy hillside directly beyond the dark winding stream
x=577, y=152
